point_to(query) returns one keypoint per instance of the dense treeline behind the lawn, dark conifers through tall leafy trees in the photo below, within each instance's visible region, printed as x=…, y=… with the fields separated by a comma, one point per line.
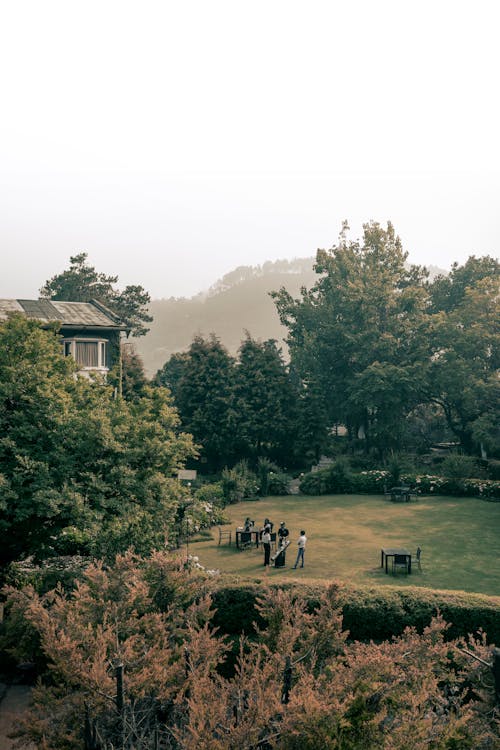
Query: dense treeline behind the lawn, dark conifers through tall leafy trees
x=375, y=346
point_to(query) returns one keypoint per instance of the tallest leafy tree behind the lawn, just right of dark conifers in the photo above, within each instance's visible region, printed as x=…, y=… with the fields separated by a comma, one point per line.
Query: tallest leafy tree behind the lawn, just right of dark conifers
x=357, y=333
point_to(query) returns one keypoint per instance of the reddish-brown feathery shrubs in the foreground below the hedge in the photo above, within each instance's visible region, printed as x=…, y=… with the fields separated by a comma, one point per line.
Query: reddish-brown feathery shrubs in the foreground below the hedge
x=412, y=691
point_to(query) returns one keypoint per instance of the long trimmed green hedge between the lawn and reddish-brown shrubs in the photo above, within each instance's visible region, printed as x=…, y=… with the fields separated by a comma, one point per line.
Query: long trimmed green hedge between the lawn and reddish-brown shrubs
x=370, y=613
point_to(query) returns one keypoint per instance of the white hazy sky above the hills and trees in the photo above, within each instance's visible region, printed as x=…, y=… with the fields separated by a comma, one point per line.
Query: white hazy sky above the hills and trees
x=174, y=141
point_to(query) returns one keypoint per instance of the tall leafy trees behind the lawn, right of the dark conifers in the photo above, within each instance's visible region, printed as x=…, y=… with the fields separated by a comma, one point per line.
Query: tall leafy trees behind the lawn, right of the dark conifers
x=377, y=340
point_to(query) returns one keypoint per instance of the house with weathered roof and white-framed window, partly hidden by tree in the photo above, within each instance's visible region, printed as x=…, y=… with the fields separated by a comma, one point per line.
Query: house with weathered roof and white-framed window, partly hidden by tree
x=90, y=331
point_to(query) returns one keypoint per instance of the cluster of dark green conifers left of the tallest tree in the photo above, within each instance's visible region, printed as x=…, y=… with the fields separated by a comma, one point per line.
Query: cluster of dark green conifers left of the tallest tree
x=235, y=408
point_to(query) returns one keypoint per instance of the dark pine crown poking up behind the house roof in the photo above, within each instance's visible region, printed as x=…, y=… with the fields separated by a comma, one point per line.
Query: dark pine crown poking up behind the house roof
x=82, y=283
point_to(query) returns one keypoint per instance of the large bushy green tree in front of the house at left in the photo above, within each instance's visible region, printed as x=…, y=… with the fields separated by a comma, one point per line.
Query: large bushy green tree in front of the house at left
x=80, y=469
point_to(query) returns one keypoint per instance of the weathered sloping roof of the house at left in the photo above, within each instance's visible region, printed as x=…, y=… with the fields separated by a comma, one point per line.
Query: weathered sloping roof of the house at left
x=70, y=314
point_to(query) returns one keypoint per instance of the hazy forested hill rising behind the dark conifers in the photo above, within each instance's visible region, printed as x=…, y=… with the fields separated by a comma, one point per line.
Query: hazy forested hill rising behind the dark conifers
x=236, y=303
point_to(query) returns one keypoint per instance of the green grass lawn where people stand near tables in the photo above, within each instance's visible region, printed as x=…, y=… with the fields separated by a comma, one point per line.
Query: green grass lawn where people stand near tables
x=459, y=537
